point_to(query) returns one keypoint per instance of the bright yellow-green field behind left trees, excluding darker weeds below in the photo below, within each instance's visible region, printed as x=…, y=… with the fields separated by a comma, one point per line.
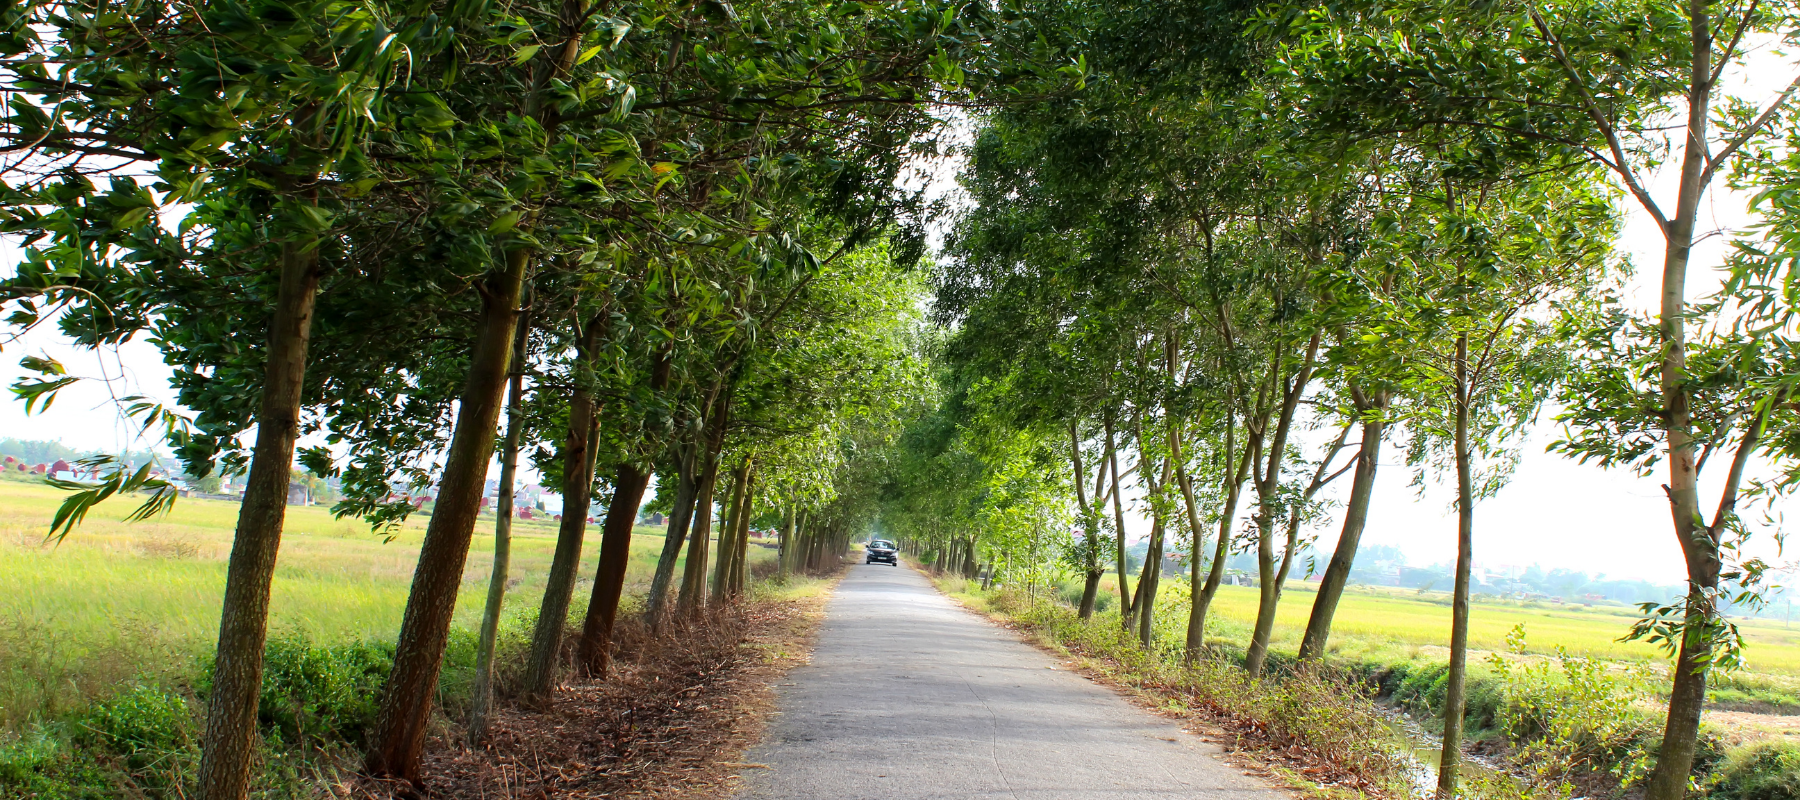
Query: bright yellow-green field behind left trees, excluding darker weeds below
x=118, y=605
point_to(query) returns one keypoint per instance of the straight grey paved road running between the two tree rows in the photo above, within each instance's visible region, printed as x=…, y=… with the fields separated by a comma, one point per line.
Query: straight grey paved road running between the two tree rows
x=910, y=696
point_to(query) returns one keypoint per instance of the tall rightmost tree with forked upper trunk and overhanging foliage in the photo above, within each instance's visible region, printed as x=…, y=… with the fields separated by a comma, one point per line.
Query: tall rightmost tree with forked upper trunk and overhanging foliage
x=1596, y=84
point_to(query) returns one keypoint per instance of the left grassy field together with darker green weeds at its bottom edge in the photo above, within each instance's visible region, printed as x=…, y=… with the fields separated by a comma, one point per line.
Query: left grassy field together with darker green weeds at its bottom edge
x=120, y=621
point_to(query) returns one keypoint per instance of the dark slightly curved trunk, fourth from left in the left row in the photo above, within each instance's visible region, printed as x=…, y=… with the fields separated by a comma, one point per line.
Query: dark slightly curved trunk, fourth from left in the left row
x=579, y=457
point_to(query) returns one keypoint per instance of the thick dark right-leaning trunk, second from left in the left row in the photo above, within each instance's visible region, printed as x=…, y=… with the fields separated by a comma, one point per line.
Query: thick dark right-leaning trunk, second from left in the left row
x=408, y=700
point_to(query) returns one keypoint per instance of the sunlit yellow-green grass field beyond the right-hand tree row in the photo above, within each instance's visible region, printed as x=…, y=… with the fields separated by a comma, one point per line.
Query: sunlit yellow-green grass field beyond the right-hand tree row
x=1592, y=714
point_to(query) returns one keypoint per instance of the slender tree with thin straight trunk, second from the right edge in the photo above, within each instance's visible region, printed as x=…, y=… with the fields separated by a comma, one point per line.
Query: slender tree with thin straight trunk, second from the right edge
x=1491, y=257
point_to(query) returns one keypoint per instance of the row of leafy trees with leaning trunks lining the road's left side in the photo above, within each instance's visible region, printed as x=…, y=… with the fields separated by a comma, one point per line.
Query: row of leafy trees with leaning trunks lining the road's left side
x=640, y=239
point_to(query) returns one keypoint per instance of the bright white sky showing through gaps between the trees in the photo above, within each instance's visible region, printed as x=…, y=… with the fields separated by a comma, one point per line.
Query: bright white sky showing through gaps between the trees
x=1554, y=513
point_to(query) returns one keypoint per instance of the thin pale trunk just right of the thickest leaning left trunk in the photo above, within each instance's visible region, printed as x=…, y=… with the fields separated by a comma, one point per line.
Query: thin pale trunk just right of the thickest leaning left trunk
x=481, y=695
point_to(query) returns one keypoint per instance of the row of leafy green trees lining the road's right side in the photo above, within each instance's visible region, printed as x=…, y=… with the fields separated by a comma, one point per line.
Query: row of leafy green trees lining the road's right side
x=1270, y=239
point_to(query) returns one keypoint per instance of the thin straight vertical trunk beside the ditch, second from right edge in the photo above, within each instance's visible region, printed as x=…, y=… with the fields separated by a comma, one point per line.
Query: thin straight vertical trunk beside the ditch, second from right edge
x=1455, y=682
